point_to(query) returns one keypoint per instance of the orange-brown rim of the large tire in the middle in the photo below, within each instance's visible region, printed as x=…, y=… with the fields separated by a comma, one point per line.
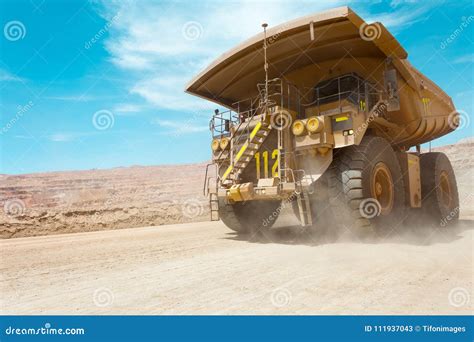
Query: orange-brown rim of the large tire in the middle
x=382, y=187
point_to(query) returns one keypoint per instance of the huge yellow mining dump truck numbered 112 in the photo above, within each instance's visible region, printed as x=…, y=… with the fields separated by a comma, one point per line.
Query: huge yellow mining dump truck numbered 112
x=322, y=113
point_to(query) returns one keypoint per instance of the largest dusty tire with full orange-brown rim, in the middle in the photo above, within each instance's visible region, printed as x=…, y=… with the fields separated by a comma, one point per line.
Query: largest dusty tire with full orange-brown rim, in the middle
x=366, y=188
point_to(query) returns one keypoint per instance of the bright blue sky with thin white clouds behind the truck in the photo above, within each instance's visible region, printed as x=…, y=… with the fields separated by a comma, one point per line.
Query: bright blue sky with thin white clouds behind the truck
x=125, y=63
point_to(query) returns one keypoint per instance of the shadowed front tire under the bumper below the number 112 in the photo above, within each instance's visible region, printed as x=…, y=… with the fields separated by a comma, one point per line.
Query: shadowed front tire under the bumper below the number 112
x=249, y=217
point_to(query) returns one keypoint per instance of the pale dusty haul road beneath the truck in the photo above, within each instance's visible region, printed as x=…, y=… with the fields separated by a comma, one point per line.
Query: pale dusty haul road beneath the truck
x=203, y=268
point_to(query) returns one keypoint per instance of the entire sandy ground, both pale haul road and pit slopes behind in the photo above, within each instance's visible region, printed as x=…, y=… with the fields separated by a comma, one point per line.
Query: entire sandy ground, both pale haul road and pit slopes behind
x=203, y=267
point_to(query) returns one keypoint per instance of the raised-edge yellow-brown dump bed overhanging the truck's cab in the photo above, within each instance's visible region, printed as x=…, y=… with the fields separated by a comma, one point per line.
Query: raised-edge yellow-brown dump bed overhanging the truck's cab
x=311, y=49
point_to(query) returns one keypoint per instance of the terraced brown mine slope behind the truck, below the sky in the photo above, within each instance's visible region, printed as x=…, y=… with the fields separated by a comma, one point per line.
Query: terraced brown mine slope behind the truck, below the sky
x=81, y=201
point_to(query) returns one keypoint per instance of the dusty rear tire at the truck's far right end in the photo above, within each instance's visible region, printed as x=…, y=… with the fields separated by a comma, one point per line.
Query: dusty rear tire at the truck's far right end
x=439, y=191
